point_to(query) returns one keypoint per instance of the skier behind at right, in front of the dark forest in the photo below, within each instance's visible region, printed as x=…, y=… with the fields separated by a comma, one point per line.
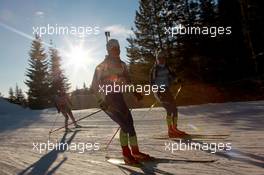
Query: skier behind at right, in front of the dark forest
x=161, y=75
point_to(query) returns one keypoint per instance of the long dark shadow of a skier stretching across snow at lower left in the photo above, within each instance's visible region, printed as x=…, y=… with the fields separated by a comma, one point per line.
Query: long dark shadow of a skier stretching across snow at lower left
x=42, y=166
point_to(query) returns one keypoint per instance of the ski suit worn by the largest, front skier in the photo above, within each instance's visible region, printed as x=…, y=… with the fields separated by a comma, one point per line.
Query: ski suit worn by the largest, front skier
x=110, y=71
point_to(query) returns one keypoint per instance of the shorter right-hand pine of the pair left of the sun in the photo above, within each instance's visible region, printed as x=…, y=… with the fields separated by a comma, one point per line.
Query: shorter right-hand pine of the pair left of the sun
x=57, y=78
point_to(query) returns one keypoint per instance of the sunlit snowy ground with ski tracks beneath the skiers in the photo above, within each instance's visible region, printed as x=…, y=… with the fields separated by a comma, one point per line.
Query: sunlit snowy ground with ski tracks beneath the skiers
x=20, y=128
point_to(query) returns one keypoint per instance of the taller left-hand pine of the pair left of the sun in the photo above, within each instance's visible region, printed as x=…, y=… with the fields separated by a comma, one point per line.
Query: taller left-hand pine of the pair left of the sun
x=38, y=77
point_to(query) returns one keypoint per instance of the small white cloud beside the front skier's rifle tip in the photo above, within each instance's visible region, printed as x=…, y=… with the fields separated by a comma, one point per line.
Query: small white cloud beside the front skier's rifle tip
x=119, y=30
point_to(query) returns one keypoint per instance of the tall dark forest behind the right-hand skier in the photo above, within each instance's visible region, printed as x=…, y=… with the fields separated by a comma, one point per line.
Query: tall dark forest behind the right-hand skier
x=220, y=59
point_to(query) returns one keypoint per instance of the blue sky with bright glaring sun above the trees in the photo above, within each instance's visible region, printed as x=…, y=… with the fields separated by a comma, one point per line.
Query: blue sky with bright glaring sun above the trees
x=17, y=19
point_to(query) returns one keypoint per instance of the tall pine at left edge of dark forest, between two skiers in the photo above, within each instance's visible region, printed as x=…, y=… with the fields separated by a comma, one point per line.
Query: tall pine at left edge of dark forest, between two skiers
x=148, y=38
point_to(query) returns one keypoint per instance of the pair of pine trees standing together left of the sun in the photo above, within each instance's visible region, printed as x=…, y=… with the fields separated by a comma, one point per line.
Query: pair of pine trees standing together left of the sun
x=44, y=75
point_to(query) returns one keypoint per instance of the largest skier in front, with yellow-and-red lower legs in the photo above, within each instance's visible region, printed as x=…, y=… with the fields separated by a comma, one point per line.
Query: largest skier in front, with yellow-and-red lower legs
x=113, y=70
